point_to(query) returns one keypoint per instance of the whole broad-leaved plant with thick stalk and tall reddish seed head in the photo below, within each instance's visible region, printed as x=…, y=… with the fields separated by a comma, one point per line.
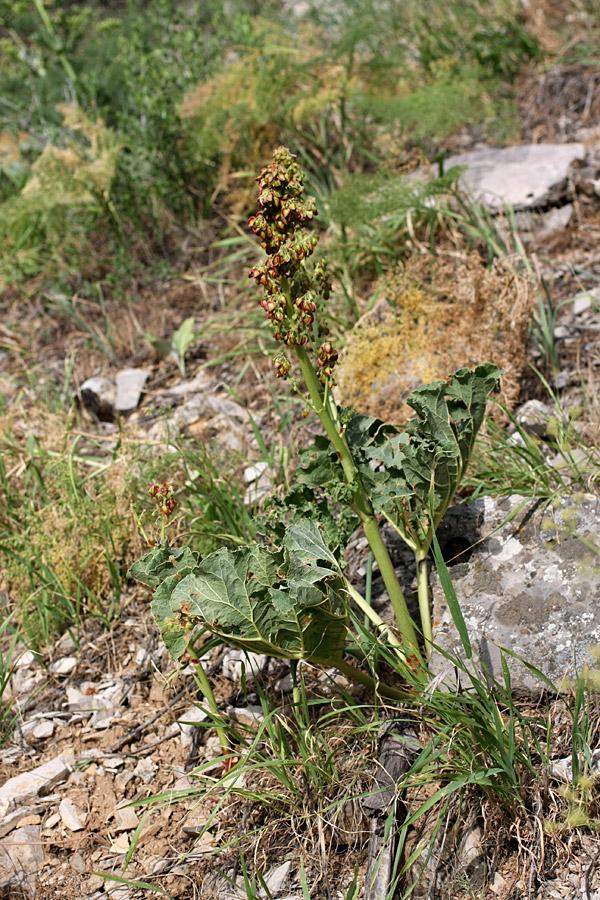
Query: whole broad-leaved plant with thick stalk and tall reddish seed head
x=288, y=596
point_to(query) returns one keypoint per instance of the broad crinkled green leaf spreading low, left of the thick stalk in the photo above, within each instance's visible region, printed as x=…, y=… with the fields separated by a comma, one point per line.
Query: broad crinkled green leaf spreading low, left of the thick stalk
x=282, y=604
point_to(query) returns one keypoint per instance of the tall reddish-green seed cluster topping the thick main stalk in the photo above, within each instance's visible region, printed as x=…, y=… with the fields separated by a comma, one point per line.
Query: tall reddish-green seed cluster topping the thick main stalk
x=291, y=294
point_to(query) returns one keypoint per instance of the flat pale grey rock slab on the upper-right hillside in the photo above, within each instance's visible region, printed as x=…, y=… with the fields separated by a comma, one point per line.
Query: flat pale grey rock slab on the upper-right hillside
x=520, y=177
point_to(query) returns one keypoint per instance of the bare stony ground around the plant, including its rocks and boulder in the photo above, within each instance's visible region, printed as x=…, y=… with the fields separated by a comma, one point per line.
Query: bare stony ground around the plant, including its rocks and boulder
x=103, y=726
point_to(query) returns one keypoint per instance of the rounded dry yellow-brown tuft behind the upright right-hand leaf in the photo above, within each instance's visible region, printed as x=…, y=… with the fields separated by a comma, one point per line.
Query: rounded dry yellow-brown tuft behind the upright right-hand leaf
x=435, y=315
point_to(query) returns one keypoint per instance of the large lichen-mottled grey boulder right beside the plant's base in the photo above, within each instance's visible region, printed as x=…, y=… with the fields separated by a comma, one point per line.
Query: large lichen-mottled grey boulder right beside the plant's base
x=530, y=585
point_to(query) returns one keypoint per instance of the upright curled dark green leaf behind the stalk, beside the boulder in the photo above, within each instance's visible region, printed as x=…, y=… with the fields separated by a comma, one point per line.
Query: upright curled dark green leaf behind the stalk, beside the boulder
x=405, y=473
